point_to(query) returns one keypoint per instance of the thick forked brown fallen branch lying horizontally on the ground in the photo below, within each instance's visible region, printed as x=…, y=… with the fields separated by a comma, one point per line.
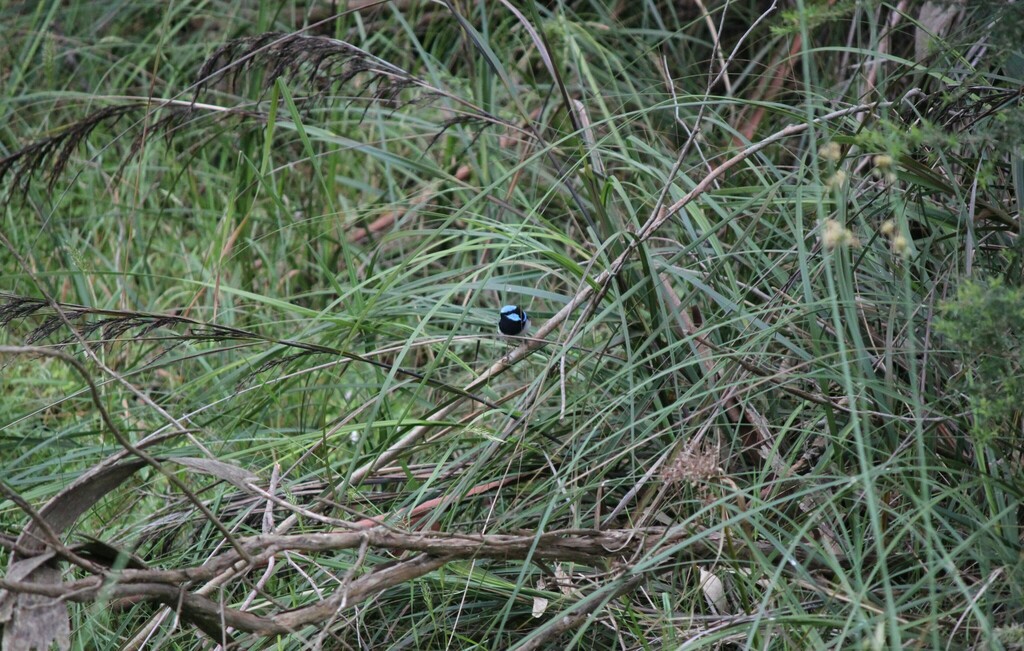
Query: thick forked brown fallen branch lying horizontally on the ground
x=432, y=551
